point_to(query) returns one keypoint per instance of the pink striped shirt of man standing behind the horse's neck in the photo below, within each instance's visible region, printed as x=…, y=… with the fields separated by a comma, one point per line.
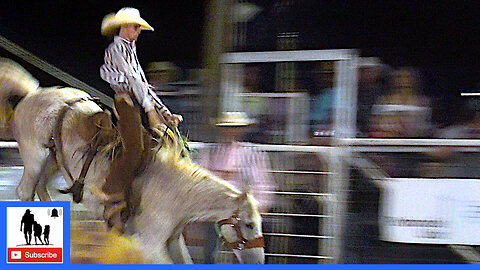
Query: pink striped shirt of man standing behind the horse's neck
x=245, y=167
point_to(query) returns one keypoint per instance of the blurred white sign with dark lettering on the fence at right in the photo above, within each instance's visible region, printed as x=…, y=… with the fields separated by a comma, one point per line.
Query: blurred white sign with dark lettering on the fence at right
x=430, y=211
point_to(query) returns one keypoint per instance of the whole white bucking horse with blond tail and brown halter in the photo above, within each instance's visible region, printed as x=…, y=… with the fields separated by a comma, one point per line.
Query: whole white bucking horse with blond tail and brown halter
x=168, y=193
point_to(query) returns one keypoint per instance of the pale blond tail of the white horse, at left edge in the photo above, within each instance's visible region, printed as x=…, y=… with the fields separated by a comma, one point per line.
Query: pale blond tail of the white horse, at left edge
x=15, y=84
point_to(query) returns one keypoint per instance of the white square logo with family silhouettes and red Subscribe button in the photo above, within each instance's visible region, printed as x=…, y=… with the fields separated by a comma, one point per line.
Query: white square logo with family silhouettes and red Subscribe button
x=34, y=234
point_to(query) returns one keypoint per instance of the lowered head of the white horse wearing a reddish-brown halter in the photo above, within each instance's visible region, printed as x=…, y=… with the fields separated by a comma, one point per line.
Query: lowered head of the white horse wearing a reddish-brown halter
x=242, y=232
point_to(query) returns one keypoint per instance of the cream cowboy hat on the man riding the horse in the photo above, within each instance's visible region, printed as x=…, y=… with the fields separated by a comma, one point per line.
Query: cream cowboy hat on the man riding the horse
x=124, y=16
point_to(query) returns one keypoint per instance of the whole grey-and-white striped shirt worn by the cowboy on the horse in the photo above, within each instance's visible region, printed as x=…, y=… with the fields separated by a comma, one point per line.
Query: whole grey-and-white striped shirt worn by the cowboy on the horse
x=125, y=75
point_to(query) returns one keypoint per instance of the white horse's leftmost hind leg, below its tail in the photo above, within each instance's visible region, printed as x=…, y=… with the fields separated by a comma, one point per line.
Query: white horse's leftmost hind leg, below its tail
x=35, y=160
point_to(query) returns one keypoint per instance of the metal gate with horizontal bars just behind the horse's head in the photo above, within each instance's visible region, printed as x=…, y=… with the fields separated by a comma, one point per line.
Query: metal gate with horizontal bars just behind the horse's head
x=300, y=227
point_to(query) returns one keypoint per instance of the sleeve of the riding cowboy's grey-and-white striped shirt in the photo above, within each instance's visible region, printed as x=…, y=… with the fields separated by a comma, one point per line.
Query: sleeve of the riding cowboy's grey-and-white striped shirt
x=120, y=75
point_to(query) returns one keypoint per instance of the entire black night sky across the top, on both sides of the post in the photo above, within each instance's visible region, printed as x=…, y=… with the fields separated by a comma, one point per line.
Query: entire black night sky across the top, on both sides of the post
x=440, y=37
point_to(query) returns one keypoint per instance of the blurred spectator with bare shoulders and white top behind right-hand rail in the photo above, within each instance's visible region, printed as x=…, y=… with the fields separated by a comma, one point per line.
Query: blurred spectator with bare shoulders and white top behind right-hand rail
x=402, y=113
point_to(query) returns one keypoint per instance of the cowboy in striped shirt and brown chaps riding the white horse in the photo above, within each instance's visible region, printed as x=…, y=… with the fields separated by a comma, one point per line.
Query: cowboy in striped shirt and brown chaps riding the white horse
x=133, y=94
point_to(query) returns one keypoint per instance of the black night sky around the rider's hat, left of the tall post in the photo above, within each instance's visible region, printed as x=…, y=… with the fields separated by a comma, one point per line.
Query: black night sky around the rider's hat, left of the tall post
x=67, y=33
